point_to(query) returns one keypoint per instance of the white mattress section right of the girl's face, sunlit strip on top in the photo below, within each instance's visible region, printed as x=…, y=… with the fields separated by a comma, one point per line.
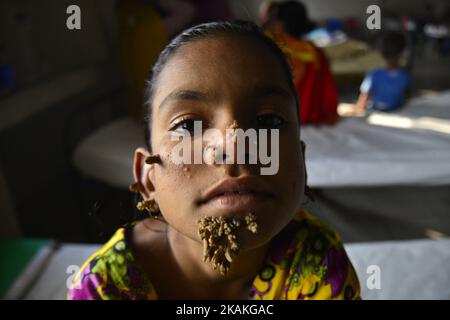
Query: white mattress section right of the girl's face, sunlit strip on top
x=355, y=152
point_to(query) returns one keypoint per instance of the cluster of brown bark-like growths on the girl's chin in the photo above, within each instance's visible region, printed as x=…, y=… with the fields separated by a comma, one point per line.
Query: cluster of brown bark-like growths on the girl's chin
x=220, y=244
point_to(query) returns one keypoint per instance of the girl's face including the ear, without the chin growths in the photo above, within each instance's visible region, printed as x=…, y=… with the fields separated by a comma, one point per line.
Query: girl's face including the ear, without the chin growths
x=220, y=81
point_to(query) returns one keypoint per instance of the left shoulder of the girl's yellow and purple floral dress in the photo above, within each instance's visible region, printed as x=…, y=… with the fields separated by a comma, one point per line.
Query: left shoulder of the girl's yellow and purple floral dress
x=111, y=273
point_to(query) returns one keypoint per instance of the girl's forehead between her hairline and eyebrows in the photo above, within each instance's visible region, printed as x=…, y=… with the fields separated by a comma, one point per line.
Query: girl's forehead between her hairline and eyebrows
x=221, y=63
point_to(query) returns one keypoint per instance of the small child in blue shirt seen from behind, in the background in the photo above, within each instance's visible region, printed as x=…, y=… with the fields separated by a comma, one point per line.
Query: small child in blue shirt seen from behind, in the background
x=385, y=89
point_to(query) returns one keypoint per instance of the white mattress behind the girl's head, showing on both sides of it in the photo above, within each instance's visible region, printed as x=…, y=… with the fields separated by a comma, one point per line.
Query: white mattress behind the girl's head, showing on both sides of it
x=351, y=153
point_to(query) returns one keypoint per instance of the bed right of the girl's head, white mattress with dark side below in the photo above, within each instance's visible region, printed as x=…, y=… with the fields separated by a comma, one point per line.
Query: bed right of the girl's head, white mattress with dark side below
x=384, y=176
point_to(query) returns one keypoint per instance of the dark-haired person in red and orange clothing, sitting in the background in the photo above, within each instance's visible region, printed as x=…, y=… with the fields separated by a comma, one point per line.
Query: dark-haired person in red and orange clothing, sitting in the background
x=287, y=23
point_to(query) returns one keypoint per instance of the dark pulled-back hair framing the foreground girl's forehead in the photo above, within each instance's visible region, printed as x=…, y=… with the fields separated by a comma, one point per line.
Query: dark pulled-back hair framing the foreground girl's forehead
x=201, y=31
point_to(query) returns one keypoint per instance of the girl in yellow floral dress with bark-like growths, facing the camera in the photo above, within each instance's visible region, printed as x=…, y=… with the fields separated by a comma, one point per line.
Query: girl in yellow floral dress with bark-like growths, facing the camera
x=222, y=230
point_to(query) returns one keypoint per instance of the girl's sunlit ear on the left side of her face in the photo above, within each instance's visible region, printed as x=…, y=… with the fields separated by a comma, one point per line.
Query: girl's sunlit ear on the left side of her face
x=144, y=174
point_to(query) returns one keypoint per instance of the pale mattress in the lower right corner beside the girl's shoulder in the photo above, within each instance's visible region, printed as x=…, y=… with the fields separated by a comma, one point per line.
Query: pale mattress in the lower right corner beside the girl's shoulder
x=415, y=269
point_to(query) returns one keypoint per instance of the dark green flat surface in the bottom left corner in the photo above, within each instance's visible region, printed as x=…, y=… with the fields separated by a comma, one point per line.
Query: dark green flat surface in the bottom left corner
x=15, y=254
